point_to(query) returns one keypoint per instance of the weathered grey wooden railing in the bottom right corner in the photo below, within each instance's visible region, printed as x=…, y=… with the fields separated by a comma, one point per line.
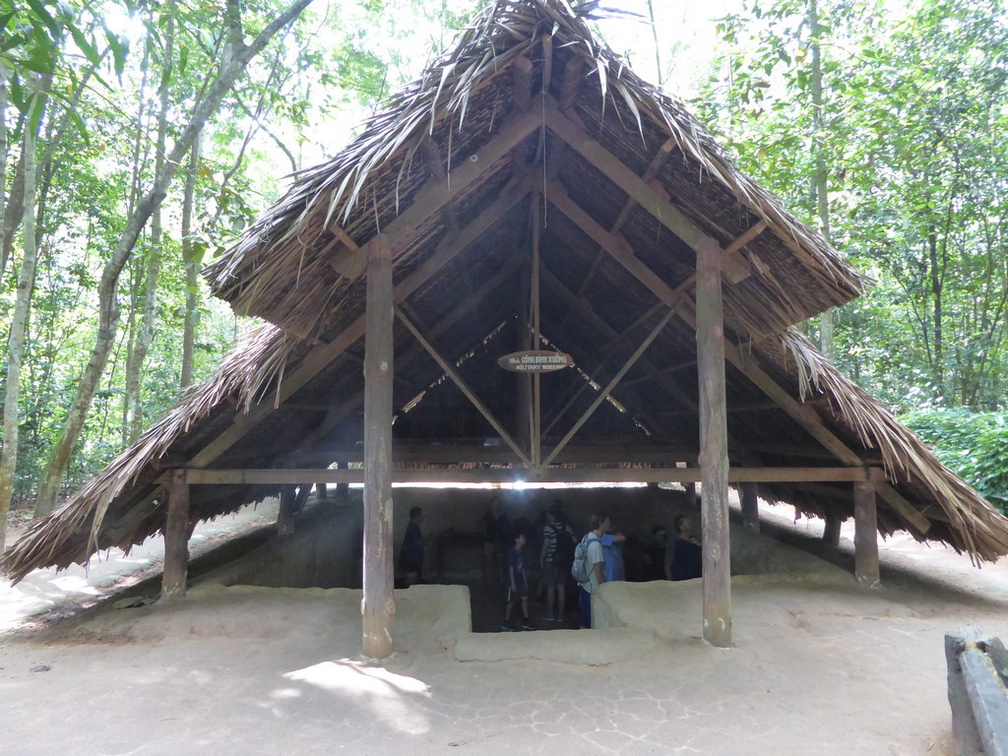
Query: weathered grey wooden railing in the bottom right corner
x=978, y=693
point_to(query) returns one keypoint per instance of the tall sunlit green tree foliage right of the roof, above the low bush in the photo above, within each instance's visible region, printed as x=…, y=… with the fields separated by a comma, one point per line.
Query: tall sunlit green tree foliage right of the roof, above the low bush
x=913, y=128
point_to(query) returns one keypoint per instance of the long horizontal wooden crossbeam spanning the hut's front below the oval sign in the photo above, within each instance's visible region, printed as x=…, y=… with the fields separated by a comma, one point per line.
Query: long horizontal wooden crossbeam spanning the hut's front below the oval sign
x=629, y=472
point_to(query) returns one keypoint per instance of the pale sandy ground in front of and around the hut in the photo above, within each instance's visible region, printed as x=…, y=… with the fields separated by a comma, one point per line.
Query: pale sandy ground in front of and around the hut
x=820, y=667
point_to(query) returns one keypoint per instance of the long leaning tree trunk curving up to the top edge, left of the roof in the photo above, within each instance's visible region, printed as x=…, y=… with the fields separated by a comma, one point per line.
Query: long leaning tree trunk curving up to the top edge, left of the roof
x=108, y=311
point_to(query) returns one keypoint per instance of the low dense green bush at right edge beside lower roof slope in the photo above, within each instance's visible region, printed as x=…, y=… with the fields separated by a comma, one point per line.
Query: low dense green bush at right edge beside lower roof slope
x=975, y=445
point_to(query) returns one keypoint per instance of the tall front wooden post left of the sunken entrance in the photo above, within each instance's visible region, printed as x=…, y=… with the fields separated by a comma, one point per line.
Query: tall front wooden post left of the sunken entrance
x=379, y=606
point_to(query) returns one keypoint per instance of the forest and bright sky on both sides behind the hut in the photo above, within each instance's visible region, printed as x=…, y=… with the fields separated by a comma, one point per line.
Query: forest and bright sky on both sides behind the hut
x=140, y=138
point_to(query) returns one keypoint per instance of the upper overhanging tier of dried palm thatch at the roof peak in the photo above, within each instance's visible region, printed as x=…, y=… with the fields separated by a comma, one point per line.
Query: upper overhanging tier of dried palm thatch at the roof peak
x=282, y=268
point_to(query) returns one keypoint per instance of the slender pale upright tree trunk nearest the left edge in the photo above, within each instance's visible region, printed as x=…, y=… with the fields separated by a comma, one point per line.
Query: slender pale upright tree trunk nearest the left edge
x=19, y=327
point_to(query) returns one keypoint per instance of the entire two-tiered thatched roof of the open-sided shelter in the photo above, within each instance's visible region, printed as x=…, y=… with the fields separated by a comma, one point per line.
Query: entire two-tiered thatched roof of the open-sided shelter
x=531, y=133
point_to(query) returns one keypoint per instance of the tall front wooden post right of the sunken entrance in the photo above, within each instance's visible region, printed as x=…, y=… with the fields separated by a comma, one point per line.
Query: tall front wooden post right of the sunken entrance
x=713, y=446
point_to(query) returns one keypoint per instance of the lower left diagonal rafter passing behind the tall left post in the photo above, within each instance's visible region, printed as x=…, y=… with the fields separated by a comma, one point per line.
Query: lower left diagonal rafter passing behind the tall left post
x=320, y=357
